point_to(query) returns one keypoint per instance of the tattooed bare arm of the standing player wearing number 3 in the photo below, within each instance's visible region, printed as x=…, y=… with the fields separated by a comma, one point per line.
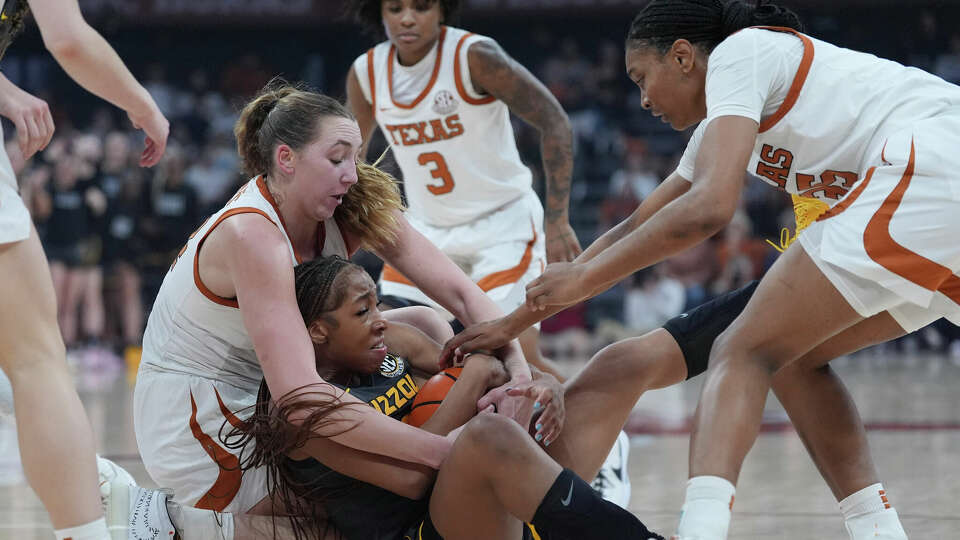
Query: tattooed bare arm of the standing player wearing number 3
x=494, y=72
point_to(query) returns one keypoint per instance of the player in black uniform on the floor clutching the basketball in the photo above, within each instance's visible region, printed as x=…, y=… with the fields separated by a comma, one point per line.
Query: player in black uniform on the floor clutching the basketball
x=496, y=476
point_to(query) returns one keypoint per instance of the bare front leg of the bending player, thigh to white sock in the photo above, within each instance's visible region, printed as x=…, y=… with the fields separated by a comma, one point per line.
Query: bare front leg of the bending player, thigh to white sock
x=745, y=357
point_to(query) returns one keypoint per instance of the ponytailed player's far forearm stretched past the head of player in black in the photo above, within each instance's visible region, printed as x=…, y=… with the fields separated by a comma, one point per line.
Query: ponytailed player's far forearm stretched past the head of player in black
x=436, y=275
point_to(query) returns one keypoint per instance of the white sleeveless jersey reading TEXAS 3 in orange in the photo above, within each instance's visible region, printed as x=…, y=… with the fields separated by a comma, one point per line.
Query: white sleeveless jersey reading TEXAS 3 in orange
x=455, y=147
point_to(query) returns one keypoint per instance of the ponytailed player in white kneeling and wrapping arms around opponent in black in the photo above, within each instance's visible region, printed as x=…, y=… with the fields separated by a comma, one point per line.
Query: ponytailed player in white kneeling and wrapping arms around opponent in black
x=226, y=314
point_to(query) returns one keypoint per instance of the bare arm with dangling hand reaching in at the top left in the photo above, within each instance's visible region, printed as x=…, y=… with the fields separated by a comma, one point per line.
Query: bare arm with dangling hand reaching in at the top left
x=92, y=62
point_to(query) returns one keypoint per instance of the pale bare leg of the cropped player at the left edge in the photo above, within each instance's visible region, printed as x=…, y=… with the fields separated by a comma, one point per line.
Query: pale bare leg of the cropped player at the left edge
x=56, y=443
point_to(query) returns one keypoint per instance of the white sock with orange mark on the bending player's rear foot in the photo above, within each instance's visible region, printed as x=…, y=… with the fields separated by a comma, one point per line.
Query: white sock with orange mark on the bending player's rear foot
x=869, y=514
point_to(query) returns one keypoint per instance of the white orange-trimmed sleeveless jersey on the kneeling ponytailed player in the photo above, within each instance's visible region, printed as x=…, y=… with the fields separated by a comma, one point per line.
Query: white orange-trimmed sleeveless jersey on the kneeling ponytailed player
x=195, y=332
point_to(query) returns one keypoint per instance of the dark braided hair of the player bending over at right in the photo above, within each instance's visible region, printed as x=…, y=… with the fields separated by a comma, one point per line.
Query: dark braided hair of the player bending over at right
x=704, y=23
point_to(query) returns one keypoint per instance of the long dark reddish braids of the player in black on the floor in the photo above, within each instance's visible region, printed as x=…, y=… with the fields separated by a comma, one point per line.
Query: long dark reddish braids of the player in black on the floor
x=268, y=435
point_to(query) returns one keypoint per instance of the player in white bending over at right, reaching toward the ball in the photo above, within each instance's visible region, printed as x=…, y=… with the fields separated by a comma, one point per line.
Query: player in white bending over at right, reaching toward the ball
x=812, y=119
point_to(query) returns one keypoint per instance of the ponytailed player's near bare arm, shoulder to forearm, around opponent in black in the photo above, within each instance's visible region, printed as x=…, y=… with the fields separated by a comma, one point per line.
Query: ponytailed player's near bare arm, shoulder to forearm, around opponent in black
x=258, y=263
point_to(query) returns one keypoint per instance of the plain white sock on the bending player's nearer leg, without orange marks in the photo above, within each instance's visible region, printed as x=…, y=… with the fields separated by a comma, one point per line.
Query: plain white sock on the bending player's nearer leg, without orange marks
x=707, y=508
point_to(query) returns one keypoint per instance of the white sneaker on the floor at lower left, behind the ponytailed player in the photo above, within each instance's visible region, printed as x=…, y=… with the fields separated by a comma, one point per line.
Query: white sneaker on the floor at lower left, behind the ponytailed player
x=136, y=513
